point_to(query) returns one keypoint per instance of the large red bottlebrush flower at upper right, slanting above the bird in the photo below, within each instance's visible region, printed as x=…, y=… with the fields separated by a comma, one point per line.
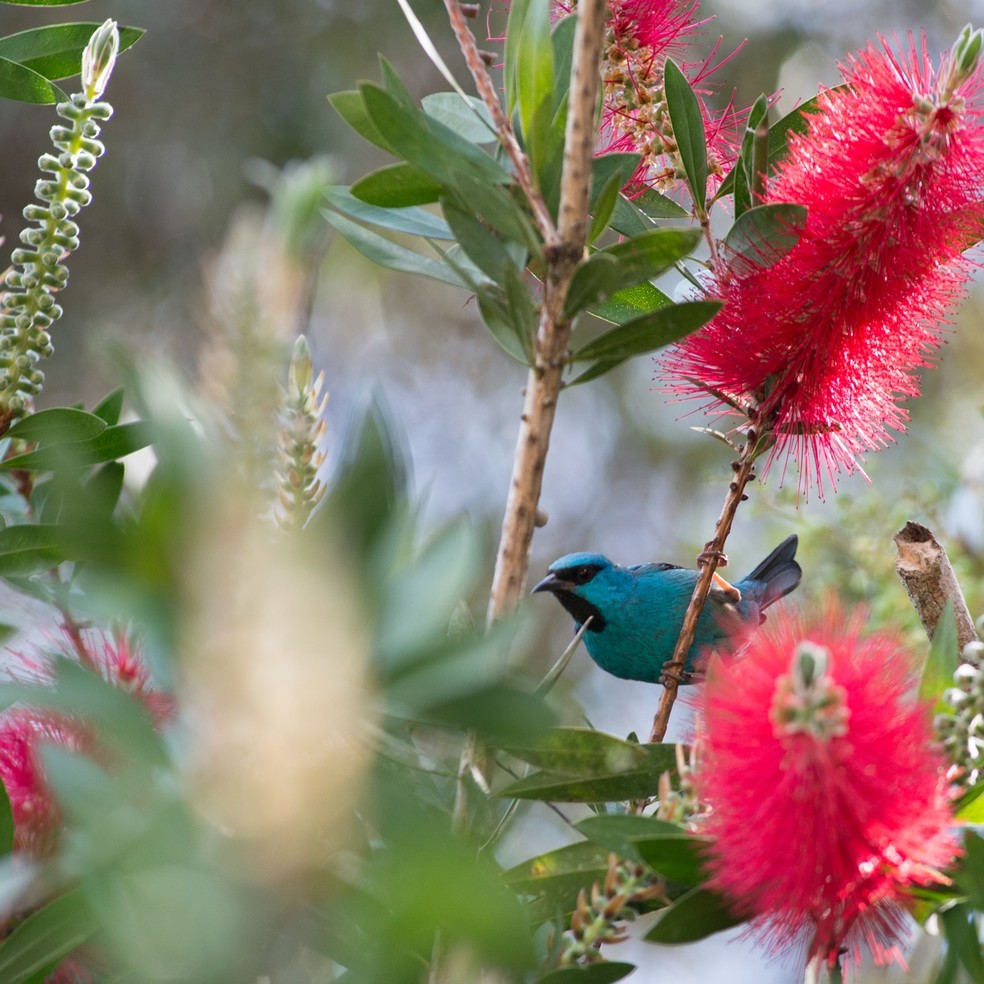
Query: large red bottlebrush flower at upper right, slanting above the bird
x=825, y=344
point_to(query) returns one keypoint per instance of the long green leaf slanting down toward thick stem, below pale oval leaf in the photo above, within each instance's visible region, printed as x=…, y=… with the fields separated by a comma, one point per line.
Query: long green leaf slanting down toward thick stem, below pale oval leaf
x=429, y=145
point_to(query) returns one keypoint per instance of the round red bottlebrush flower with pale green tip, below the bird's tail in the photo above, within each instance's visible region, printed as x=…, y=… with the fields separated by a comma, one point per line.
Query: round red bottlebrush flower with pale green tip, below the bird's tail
x=826, y=794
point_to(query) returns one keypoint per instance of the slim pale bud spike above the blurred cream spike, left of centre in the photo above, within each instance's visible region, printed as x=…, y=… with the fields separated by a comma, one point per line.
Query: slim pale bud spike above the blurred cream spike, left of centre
x=299, y=454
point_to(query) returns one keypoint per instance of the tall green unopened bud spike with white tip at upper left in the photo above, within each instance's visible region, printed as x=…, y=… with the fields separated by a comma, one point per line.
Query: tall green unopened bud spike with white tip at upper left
x=38, y=270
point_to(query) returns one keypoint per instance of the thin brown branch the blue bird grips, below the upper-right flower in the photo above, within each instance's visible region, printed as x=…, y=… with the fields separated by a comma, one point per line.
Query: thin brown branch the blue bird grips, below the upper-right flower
x=709, y=560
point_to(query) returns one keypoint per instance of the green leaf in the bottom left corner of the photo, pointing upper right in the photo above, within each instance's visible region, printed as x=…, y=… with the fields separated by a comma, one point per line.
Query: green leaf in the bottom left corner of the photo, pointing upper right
x=46, y=937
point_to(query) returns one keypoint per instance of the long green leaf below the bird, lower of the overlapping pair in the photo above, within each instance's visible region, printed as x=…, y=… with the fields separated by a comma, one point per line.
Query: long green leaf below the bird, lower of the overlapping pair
x=633, y=774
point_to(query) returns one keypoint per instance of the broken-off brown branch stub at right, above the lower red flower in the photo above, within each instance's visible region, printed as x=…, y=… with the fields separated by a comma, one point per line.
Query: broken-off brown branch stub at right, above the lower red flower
x=925, y=570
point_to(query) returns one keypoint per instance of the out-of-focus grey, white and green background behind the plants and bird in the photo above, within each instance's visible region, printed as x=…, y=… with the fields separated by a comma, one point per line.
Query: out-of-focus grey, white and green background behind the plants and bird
x=216, y=88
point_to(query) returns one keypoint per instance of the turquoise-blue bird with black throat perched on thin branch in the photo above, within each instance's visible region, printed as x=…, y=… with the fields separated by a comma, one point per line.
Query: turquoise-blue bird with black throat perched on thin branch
x=637, y=611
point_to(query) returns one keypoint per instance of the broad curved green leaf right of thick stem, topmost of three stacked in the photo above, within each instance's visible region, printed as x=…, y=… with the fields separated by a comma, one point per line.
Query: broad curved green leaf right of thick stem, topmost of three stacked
x=624, y=264
